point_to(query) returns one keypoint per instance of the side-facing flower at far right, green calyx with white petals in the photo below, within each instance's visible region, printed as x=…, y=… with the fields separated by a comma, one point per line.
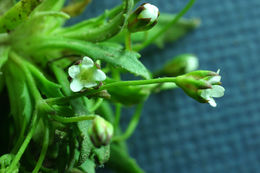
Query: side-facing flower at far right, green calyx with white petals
x=202, y=86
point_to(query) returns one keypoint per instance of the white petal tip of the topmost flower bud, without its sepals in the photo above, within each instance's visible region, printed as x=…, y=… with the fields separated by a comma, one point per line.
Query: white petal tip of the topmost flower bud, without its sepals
x=150, y=11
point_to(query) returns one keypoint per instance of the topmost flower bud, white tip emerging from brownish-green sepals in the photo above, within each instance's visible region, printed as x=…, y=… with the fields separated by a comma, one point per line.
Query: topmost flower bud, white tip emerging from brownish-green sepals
x=143, y=18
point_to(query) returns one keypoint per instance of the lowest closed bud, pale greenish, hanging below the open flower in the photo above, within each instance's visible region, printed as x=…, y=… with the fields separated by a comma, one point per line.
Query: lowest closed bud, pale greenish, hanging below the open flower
x=100, y=132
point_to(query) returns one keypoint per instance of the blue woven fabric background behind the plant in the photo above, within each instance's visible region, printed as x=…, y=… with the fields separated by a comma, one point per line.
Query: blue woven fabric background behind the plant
x=177, y=134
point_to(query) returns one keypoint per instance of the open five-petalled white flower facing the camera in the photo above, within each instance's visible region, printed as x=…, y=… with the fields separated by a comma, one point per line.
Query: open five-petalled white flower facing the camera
x=85, y=75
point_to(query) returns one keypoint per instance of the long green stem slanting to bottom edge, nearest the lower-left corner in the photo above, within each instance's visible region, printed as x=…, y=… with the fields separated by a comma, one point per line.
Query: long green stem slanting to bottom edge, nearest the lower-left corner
x=25, y=143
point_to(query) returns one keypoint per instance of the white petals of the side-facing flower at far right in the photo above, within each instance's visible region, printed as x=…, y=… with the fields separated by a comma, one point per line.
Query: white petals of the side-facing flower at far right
x=214, y=91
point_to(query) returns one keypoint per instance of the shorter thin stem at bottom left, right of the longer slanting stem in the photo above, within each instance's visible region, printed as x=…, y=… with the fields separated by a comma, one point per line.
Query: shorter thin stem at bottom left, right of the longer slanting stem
x=43, y=151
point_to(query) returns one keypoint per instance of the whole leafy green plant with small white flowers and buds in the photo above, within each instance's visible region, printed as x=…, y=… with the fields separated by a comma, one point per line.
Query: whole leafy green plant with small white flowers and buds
x=61, y=117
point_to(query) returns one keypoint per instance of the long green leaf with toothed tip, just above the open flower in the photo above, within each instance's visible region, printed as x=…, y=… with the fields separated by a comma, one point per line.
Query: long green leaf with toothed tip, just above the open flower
x=110, y=53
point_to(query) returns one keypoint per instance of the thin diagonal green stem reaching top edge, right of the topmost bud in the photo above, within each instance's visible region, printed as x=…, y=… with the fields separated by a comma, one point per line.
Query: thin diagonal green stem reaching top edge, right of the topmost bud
x=166, y=27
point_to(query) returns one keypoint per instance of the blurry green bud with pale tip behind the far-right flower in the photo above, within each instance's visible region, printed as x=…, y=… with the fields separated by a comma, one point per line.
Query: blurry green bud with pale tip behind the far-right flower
x=179, y=65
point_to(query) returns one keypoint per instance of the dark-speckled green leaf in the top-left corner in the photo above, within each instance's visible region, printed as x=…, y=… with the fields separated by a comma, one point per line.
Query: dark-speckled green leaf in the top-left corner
x=17, y=14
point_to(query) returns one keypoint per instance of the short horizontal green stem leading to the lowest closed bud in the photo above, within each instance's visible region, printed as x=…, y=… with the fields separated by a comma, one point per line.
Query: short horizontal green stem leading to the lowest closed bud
x=73, y=119
